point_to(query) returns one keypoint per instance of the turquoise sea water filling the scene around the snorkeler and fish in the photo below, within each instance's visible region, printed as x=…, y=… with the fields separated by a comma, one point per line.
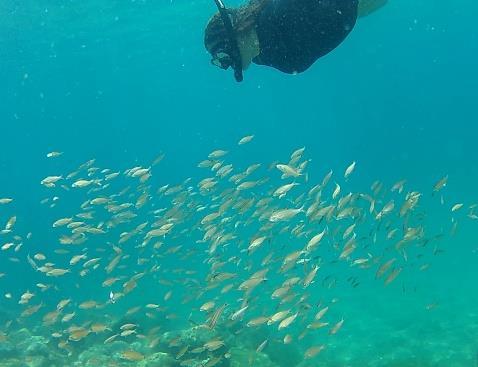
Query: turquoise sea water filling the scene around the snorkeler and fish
x=121, y=82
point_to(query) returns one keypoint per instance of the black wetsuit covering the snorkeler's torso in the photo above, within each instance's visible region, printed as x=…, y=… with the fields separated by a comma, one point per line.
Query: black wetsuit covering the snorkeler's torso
x=293, y=34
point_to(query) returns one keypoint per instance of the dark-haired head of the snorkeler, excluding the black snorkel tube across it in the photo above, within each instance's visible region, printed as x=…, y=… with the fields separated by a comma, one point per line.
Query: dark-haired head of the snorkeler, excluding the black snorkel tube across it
x=216, y=38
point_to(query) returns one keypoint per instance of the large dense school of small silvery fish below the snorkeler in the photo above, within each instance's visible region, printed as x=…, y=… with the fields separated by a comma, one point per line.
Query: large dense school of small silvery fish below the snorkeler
x=240, y=249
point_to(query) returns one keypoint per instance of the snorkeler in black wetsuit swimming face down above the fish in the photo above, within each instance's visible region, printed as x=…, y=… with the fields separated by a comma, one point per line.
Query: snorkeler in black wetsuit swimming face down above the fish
x=288, y=35
